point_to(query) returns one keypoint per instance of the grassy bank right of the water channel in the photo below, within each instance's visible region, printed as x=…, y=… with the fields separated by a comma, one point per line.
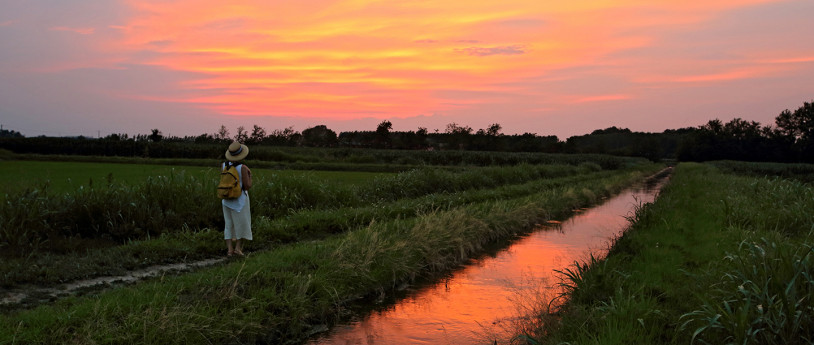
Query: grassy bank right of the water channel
x=717, y=259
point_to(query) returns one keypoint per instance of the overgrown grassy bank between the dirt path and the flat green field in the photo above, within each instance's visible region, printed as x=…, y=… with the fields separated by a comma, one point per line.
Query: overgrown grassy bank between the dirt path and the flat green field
x=162, y=220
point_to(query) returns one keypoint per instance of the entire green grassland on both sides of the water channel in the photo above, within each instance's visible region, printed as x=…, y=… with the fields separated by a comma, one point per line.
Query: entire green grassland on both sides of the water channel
x=741, y=232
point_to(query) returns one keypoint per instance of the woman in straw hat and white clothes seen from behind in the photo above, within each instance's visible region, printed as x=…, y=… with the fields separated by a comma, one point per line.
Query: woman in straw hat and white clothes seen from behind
x=236, y=212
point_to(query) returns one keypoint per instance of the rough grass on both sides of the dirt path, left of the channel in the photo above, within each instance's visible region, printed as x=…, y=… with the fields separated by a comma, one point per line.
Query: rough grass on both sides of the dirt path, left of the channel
x=319, y=246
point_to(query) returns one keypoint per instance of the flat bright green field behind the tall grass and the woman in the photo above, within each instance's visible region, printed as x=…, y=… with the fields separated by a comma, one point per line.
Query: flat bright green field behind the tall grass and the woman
x=64, y=177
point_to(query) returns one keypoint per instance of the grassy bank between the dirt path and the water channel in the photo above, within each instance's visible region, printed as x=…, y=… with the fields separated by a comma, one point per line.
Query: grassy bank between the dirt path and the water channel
x=277, y=296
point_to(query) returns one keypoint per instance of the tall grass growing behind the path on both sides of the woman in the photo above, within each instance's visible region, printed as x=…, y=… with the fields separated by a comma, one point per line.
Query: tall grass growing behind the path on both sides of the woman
x=121, y=212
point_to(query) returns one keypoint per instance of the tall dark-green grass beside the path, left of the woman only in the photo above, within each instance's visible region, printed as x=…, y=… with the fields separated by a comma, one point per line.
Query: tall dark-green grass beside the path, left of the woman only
x=118, y=212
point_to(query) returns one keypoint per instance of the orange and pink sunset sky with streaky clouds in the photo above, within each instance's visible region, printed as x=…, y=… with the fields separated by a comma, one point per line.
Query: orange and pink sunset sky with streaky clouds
x=564, y=68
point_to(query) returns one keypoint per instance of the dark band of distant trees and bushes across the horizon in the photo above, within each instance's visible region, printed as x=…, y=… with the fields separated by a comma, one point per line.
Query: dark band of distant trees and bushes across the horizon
x=790, y=140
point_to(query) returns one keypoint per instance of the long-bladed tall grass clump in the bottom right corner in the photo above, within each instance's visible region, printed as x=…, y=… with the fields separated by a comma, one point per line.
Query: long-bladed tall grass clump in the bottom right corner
x=766, y=296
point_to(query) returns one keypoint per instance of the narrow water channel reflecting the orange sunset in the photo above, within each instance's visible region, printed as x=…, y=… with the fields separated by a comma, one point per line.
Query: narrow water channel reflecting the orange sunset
x=481, y=302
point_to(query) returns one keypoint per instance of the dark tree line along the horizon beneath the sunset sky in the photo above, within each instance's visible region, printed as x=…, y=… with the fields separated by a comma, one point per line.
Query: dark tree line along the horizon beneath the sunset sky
x=790, y=139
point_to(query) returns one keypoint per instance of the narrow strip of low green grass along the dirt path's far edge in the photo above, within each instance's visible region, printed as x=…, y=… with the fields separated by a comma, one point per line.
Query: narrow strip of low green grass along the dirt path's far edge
x=308, y=224
